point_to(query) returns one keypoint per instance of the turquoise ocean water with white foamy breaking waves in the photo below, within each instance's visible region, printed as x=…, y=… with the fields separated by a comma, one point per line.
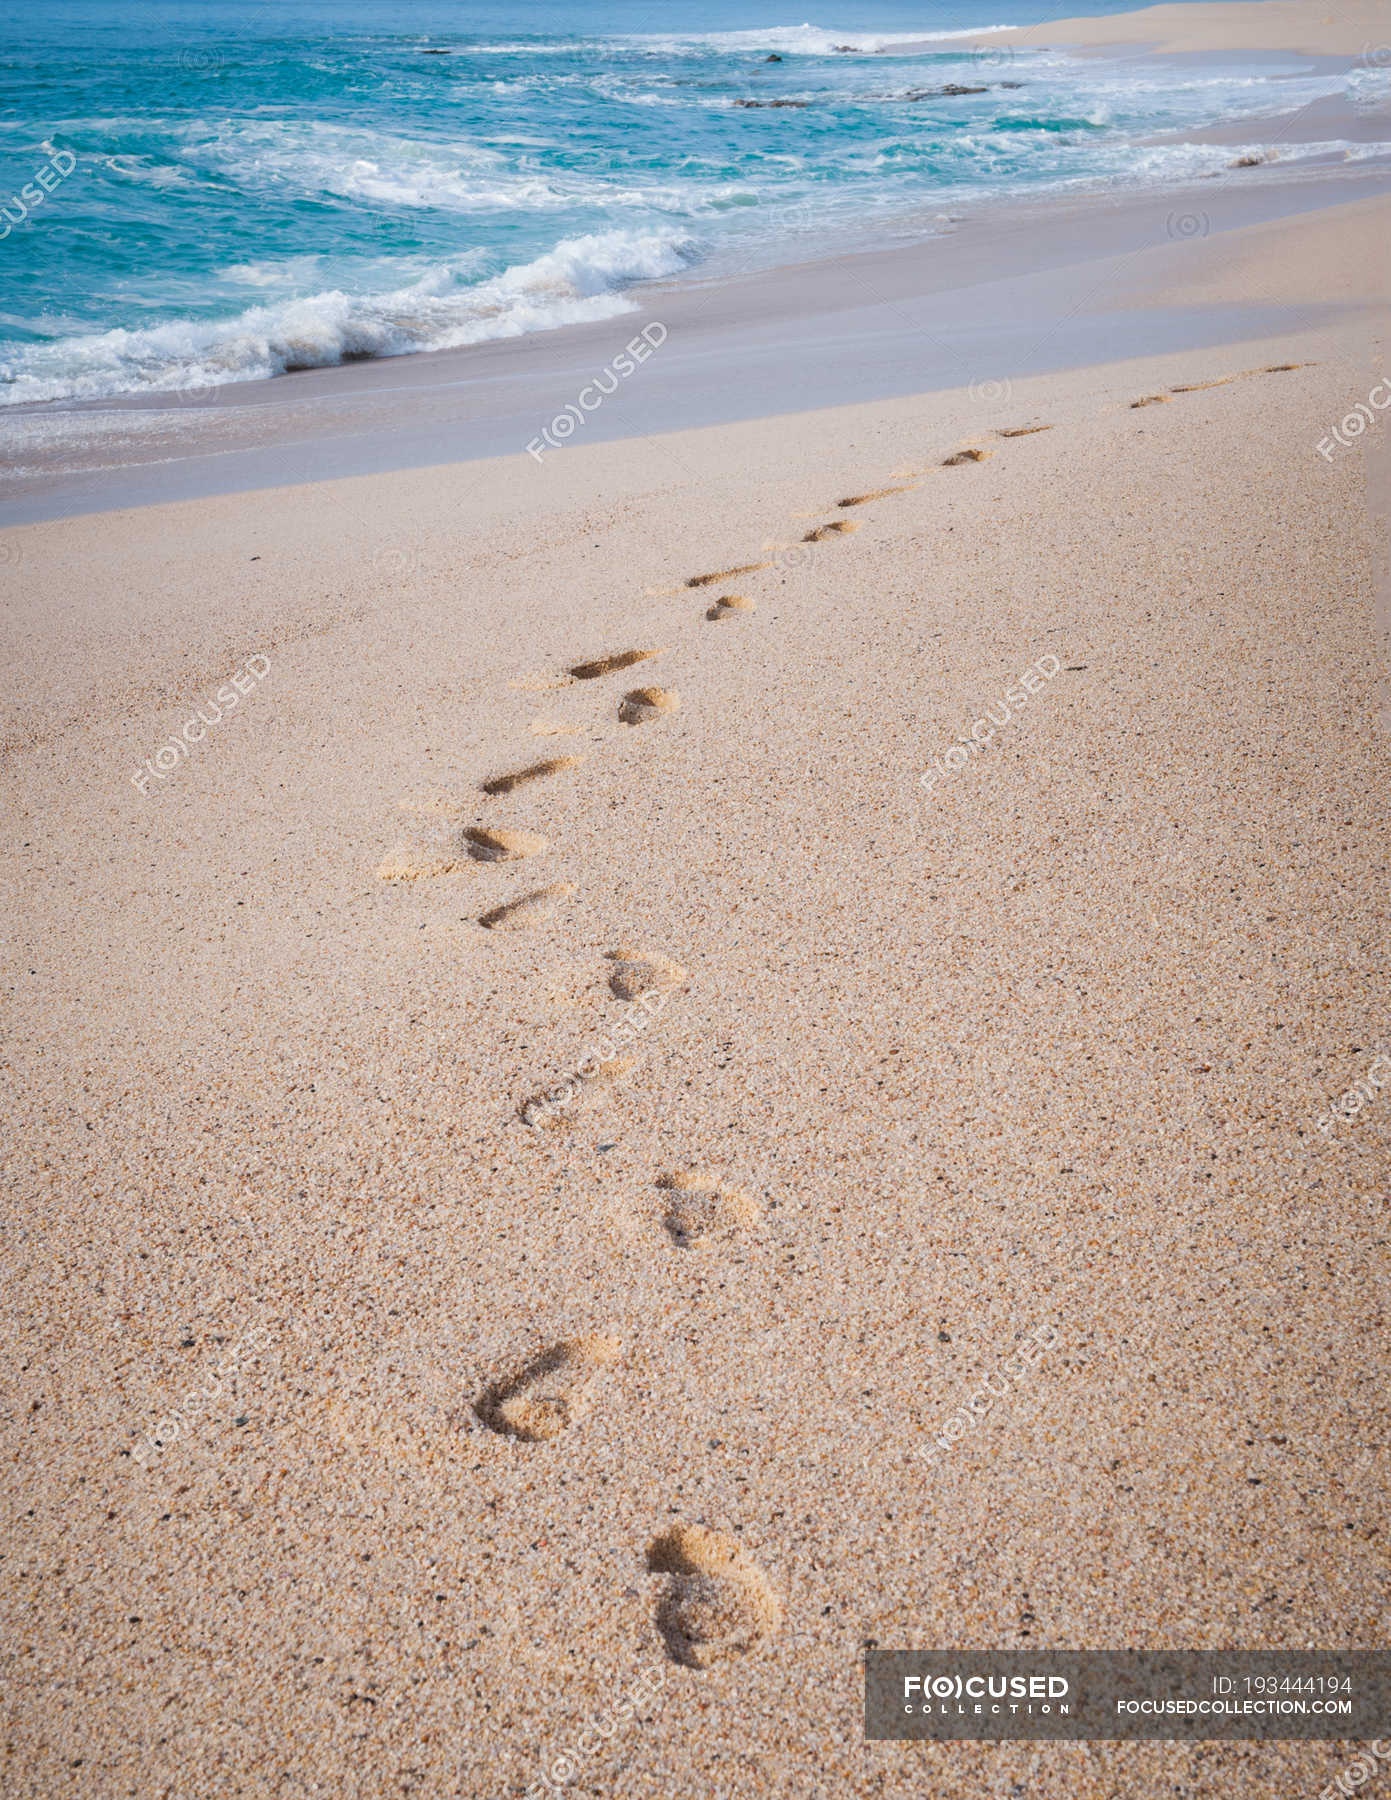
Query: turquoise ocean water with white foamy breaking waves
x=224, y=190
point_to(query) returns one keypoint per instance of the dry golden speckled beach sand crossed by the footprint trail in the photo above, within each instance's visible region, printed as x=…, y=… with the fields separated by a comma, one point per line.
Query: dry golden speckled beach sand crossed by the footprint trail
x=442, y=1372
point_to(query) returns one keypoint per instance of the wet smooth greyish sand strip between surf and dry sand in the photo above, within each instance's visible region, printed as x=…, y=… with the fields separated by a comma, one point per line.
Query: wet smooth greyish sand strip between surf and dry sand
x=494, y=399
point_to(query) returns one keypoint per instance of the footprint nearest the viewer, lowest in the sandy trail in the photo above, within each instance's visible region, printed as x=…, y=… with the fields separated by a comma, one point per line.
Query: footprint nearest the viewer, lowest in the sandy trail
x=719, y=1601
